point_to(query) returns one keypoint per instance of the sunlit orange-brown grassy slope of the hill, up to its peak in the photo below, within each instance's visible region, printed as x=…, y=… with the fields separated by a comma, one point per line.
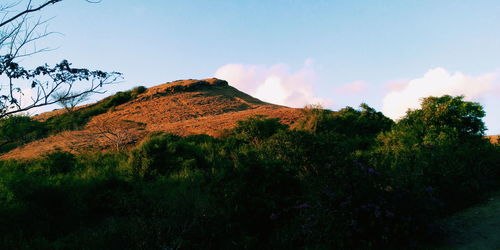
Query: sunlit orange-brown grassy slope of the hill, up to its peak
x=183, y=107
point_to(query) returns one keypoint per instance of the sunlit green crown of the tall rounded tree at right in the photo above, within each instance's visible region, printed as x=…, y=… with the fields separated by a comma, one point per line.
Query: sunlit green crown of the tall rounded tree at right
x=442, y=122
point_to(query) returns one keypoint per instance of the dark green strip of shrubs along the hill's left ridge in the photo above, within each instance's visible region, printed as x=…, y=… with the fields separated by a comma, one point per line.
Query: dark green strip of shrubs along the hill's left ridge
x=18, y=130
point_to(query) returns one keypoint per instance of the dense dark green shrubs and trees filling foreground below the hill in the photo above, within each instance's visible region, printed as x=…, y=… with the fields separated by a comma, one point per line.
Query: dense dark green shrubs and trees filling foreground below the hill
x=351, y=179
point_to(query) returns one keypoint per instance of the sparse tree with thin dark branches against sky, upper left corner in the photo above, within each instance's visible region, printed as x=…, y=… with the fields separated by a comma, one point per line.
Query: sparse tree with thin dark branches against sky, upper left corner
x=19, y=32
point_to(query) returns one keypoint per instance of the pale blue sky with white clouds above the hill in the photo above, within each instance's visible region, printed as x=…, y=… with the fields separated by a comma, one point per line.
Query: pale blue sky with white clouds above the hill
x=388, y=54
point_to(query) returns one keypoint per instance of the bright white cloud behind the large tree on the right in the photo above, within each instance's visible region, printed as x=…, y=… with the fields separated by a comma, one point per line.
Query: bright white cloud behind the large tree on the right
x=436, y=82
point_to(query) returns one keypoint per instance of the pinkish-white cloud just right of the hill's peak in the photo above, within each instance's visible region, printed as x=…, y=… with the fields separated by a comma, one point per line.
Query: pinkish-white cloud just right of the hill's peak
x=274, y=84
